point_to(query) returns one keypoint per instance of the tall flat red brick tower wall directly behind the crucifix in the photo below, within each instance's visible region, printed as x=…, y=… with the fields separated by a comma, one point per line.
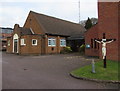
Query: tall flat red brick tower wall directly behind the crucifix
x=108, y=23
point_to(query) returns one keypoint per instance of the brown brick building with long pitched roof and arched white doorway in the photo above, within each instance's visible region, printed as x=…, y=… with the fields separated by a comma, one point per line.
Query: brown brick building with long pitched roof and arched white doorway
x=43, y=34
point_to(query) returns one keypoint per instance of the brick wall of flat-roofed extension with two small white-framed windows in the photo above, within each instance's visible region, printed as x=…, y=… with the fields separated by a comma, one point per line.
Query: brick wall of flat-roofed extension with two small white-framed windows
x=29, y=48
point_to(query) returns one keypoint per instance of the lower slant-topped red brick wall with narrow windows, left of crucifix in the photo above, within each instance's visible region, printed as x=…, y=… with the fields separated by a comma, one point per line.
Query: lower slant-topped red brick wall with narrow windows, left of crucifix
x=91, y=34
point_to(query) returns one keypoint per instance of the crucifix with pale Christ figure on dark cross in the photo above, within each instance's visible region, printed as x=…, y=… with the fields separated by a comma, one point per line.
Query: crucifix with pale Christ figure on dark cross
x=104, y=41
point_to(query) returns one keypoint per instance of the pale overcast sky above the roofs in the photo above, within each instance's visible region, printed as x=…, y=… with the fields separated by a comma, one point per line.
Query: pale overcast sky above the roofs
x=16, y=11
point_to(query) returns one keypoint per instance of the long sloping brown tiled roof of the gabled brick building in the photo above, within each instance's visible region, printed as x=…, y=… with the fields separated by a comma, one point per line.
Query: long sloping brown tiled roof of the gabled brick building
x=57, y=26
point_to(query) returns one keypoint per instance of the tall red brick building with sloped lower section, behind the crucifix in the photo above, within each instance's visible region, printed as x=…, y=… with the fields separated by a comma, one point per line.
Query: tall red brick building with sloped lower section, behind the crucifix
x=108, y=21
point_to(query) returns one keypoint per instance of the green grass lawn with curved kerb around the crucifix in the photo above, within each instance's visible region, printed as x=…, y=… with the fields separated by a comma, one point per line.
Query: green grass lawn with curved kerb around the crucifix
x=109, y=73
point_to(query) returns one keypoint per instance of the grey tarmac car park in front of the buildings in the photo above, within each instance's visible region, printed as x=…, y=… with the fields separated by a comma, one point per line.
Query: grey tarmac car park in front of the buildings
x=46, y=72
